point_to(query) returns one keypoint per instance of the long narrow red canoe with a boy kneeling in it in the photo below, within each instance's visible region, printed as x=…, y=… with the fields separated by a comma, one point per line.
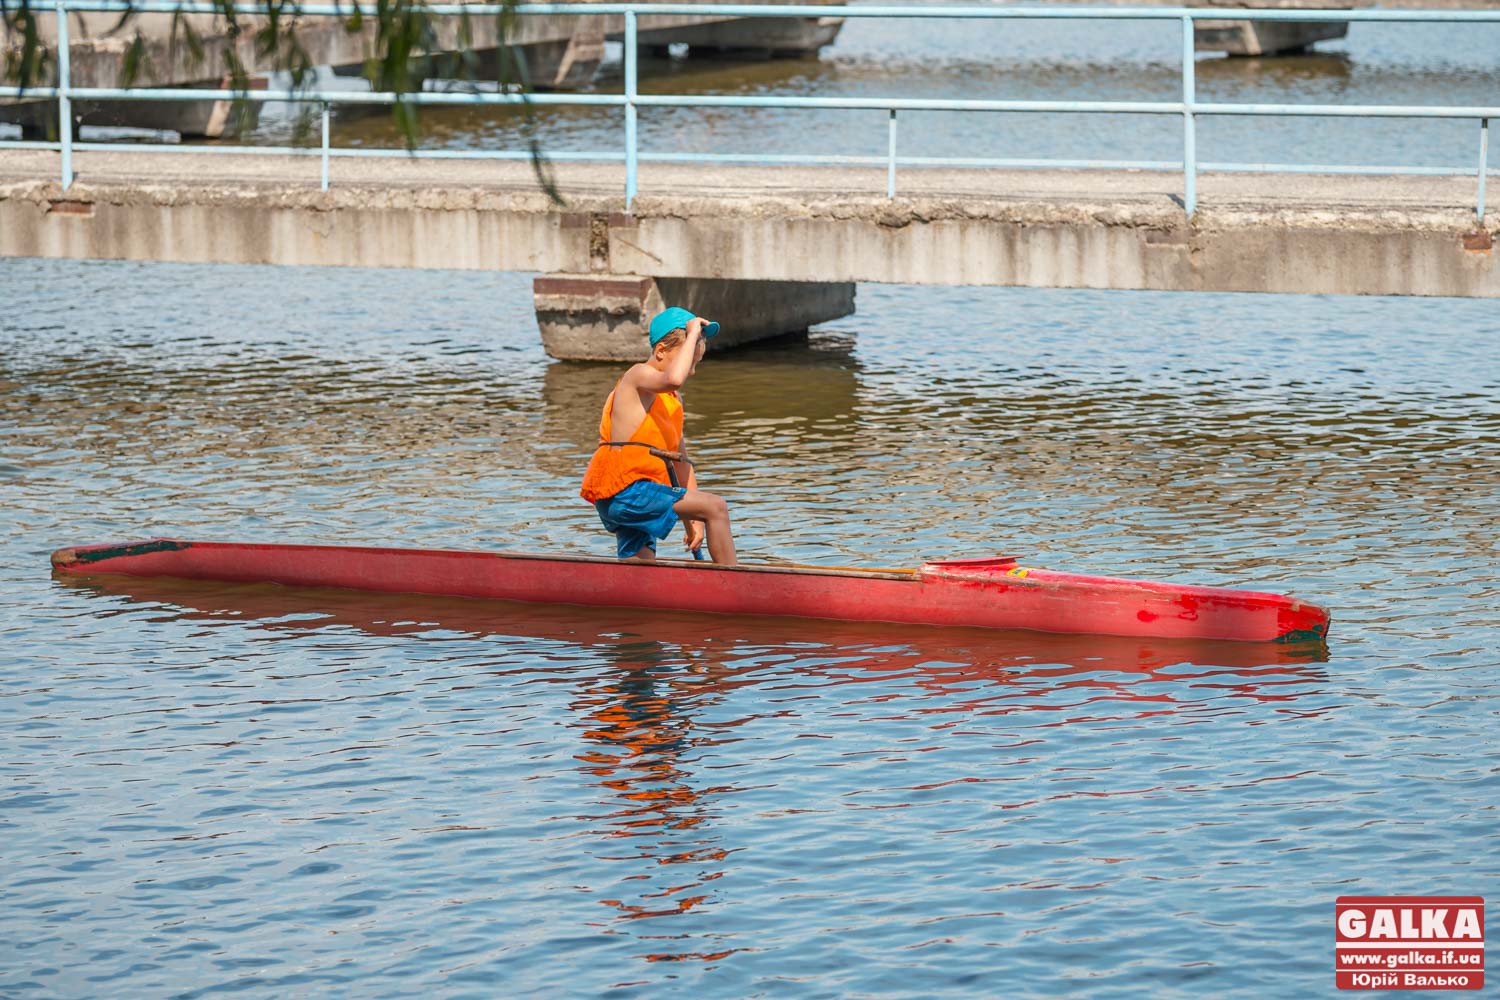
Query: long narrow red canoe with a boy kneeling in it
x=976, y=593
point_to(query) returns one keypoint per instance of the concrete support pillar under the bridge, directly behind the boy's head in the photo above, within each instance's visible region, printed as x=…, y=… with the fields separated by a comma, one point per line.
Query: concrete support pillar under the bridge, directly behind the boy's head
x=605, y=317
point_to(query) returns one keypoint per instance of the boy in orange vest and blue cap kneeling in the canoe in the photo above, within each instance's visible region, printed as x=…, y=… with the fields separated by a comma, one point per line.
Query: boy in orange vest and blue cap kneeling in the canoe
x=628, y=481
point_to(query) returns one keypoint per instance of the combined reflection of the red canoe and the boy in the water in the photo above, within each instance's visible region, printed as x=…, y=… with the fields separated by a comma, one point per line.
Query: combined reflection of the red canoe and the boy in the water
x=655, y=701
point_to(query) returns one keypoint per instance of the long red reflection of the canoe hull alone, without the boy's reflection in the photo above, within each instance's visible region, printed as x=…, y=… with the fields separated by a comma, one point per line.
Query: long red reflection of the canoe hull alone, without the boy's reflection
x=937, y=654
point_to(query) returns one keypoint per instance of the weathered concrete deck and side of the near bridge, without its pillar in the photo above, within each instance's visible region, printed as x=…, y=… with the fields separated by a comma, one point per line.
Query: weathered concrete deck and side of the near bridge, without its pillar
x=812, y=238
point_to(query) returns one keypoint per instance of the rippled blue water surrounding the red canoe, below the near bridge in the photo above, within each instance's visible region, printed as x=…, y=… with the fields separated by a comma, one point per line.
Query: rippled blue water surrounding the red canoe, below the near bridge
x=211, y=789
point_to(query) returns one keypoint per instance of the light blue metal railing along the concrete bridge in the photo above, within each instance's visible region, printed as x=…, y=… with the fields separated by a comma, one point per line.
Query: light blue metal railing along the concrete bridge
x=1189, y=107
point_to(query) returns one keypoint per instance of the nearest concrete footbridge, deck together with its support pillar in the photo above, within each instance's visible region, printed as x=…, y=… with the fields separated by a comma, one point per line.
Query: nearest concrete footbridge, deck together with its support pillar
x=776, y=250
